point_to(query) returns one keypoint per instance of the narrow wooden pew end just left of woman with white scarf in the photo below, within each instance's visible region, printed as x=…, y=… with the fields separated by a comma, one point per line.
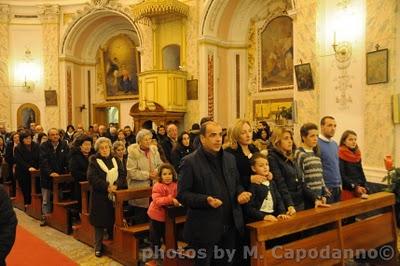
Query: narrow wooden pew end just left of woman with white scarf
x=84, y=231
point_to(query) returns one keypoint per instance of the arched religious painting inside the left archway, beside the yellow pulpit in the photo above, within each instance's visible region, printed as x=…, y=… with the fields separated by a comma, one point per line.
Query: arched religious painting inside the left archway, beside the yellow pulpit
x=120, y=66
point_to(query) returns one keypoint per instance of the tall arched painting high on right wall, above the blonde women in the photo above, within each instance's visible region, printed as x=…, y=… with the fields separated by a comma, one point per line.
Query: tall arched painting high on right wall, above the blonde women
x=276, y=55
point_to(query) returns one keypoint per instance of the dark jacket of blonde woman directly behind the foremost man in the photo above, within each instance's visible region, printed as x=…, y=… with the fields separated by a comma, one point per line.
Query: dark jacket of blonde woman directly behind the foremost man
x=243, y=163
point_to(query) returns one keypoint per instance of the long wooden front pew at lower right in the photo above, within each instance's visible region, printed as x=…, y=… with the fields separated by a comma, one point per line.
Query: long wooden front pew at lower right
x=365, y=234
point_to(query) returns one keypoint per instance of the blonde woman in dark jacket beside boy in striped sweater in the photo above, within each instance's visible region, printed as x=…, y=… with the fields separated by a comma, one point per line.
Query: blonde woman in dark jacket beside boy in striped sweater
x=284, y=169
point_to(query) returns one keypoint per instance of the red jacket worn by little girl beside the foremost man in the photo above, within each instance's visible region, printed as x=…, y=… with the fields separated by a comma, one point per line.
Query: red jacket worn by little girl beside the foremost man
x=162, y=195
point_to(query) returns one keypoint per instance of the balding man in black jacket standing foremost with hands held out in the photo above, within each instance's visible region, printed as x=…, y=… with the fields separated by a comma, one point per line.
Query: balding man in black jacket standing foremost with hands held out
x=209, y=187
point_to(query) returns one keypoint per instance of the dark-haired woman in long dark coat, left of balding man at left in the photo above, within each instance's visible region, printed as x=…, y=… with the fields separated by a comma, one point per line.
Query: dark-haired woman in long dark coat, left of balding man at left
x=26, y=160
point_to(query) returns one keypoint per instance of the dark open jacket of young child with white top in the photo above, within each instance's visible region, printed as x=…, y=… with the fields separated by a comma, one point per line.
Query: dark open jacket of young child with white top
x=259, y=192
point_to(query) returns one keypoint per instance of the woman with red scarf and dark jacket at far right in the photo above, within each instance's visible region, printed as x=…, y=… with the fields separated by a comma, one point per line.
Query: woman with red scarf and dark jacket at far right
x=353, y=178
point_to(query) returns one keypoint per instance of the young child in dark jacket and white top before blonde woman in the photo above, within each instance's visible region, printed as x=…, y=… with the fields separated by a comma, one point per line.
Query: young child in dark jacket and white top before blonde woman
x=266, y=202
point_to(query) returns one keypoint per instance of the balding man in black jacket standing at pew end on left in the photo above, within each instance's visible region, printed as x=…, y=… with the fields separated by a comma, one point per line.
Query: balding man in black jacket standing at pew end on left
x=53, y=162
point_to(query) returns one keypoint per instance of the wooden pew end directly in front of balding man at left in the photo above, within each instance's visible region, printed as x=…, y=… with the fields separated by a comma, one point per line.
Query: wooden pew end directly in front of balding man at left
x=60, y=217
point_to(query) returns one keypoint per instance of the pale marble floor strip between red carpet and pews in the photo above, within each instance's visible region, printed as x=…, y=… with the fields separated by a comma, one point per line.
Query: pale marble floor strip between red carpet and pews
x=75, y=250
